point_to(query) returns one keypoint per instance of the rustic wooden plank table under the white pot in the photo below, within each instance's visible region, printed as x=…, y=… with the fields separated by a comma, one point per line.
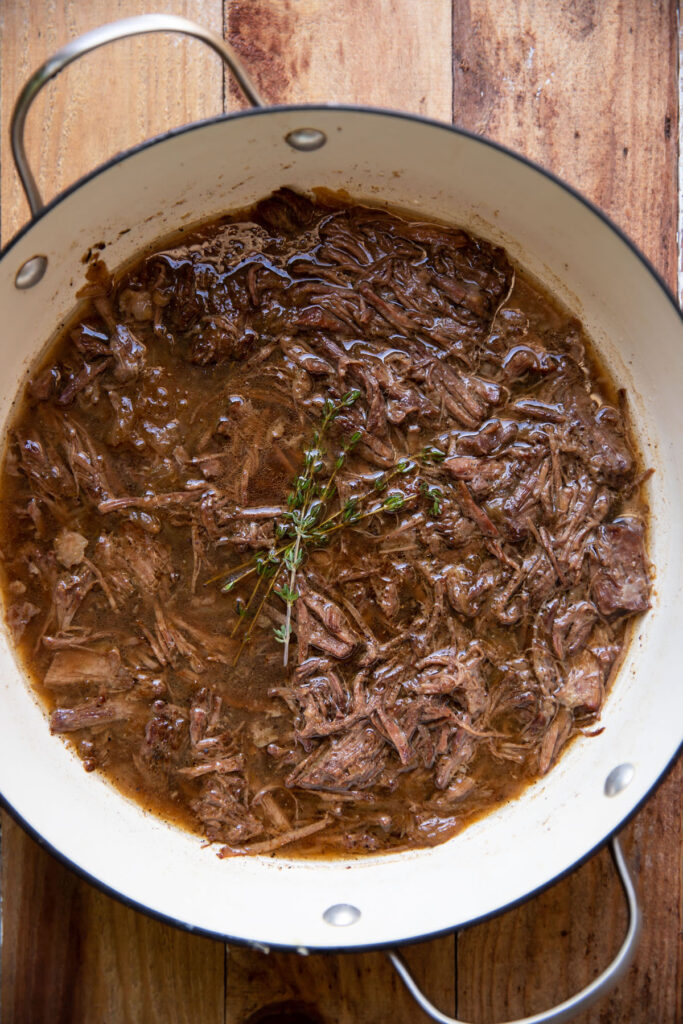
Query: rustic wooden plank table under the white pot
x=588, y=90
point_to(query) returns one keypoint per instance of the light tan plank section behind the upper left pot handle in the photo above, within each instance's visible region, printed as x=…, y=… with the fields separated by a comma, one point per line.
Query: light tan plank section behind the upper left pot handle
x=110, y=100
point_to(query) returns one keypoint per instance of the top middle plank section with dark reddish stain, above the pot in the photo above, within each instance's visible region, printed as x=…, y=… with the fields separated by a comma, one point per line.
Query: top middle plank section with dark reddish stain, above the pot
x=387, y=54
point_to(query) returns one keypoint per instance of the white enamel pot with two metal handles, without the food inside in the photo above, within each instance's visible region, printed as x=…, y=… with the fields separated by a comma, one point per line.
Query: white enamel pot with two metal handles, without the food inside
x=376, y=156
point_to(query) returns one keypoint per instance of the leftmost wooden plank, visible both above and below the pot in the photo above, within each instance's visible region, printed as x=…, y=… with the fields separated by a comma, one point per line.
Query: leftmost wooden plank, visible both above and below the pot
x=69, y=953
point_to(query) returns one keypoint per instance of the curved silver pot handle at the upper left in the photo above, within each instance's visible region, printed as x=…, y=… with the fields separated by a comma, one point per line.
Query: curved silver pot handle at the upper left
x=142, y=25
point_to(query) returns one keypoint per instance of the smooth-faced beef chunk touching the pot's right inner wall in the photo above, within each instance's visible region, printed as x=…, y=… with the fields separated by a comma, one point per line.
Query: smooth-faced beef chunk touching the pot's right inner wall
x=621, y=585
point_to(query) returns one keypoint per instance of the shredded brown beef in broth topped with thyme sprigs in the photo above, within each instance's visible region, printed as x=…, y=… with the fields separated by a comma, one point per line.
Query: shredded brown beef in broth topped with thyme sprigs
x=321, y=530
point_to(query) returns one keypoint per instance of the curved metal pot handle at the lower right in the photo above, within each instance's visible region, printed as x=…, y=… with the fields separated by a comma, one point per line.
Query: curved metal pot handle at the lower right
x=565, y=1011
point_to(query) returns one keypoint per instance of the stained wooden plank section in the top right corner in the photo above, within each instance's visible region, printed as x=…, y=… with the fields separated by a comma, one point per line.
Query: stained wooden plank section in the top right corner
x=588, y=89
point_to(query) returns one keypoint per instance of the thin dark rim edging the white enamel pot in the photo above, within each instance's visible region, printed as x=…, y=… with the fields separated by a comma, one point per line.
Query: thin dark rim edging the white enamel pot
x=347, y=108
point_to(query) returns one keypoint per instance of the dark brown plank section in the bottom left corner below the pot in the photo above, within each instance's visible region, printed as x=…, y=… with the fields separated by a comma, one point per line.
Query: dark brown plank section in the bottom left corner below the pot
x=73, y=956
